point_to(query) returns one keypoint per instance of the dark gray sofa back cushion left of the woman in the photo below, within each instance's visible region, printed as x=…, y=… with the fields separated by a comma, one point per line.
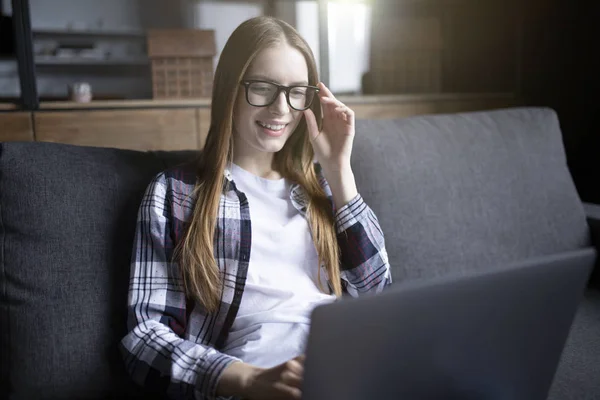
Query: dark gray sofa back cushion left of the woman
x=67, y=222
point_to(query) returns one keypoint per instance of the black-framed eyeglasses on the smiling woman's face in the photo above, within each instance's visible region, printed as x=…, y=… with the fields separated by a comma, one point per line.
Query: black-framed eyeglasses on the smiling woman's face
x=263, y=94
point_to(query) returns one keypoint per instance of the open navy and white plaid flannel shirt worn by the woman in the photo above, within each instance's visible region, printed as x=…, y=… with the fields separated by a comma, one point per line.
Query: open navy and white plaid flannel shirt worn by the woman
x=173, y=343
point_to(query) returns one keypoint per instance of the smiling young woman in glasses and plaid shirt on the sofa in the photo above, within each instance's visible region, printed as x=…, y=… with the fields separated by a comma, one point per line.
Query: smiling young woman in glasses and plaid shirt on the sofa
x=233, y=253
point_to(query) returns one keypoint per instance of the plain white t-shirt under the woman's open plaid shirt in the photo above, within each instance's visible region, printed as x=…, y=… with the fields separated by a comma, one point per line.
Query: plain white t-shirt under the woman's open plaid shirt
x=281, y=287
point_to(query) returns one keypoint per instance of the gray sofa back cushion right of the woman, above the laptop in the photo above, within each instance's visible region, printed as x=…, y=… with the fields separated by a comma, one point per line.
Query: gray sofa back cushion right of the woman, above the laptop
x=457, y=193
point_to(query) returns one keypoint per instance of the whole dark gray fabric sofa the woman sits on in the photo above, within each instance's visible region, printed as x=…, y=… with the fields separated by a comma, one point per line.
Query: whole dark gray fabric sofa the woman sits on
x=453, y=193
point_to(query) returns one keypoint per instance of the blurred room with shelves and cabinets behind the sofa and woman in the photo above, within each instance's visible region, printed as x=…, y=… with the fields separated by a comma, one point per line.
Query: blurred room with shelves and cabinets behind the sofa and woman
x=137, y=74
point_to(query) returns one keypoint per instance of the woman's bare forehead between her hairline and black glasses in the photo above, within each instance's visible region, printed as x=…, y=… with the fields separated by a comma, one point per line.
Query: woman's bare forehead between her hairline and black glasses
x=281, y=64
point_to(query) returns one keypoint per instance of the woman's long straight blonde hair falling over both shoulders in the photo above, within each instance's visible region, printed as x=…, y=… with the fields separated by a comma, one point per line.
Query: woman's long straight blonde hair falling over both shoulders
x=294, y=161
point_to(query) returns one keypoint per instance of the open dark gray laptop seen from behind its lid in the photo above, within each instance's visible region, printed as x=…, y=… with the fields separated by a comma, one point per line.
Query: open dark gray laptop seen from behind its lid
x=494, y=335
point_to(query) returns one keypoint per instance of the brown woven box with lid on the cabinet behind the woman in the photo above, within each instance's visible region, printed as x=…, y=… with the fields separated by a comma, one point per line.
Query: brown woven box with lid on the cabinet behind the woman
x=182, y=62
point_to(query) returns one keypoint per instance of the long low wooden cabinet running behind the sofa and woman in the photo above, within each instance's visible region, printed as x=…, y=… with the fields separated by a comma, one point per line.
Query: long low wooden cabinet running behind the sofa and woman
x=184, y=124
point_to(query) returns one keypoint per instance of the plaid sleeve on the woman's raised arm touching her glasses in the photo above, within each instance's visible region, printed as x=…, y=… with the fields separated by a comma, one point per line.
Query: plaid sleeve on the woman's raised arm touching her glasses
x=364, y=261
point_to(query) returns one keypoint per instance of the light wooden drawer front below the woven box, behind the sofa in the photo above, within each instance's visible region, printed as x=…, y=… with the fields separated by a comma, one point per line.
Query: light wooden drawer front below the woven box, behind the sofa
x=167, y=129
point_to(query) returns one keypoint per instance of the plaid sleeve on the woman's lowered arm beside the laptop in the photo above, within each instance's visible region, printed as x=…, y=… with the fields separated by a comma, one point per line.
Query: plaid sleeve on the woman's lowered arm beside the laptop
x=155, y=353
